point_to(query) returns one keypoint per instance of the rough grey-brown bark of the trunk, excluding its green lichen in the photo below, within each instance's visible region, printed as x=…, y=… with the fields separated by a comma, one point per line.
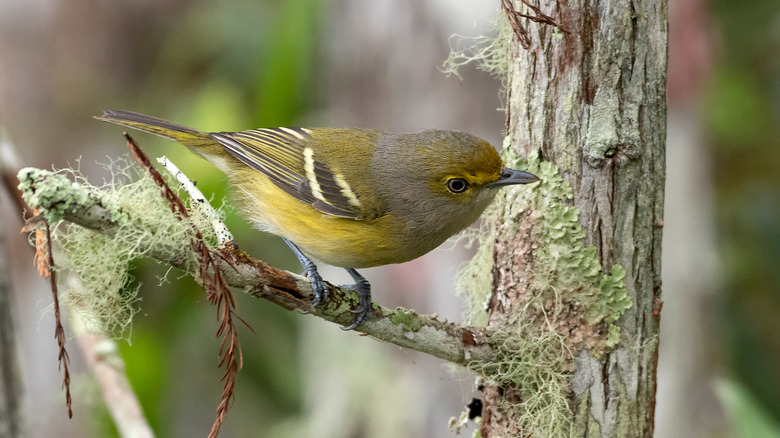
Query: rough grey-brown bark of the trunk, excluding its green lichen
x=593, y=103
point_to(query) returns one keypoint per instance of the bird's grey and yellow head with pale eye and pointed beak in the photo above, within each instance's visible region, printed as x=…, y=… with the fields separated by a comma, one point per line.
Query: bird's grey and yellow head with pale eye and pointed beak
x=441, y=180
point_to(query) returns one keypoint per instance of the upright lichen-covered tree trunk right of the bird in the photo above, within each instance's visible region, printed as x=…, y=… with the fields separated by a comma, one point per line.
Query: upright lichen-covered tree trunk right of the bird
x=591, y=101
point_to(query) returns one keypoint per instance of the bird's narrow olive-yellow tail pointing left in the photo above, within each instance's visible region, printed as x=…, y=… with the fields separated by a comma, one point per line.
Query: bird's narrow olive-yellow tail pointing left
x=163, y=128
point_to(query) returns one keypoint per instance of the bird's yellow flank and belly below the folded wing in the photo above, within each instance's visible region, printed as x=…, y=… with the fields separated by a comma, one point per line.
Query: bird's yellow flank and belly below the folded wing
x=334, y=240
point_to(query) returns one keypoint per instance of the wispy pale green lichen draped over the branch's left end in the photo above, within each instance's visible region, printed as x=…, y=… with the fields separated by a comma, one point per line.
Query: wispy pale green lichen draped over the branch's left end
x=141, y=222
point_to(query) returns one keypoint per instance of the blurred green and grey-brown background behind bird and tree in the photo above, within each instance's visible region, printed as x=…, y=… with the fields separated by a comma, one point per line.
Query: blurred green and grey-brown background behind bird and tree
x=243, y=64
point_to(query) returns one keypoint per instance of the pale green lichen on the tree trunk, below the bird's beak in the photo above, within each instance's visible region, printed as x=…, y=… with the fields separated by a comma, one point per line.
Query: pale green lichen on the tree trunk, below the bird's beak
x=535, y=360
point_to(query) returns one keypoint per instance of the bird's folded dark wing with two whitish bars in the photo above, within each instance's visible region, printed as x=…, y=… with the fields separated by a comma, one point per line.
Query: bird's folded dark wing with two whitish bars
x=285, y=156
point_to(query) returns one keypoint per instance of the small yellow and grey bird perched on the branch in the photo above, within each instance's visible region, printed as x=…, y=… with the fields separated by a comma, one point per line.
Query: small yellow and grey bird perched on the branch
x=353, y=198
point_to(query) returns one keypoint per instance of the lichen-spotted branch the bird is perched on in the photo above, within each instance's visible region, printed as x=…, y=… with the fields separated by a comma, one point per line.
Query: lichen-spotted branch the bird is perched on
x=60, y=199
